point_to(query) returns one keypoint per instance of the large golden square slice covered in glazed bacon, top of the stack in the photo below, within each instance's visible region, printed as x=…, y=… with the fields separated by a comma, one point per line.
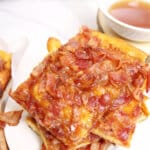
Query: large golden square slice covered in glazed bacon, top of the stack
x=93, y=84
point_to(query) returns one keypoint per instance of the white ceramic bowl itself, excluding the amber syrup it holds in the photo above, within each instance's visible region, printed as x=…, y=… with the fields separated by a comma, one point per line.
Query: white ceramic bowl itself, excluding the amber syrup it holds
x=124, y=30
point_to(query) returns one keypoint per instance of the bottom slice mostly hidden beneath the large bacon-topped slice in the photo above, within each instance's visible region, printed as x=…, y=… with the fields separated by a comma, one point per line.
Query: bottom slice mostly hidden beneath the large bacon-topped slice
x=52, y=143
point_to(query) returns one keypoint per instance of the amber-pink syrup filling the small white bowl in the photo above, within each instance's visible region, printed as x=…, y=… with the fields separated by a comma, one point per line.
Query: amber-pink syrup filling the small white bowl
x=135, y=13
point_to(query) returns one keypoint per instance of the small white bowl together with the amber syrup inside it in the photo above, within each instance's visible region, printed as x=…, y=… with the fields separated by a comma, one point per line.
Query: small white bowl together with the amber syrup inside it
x=128, y=18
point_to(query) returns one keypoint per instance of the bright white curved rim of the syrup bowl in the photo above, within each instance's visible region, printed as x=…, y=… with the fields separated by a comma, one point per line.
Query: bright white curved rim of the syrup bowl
x=108, y=15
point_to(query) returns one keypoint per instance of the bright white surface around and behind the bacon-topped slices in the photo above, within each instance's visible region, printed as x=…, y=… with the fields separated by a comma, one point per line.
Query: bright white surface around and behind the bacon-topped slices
x=36, y=22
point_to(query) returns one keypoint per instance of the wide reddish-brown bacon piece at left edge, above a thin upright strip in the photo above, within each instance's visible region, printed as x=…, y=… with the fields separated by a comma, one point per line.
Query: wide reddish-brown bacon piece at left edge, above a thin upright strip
x=11, y=118
